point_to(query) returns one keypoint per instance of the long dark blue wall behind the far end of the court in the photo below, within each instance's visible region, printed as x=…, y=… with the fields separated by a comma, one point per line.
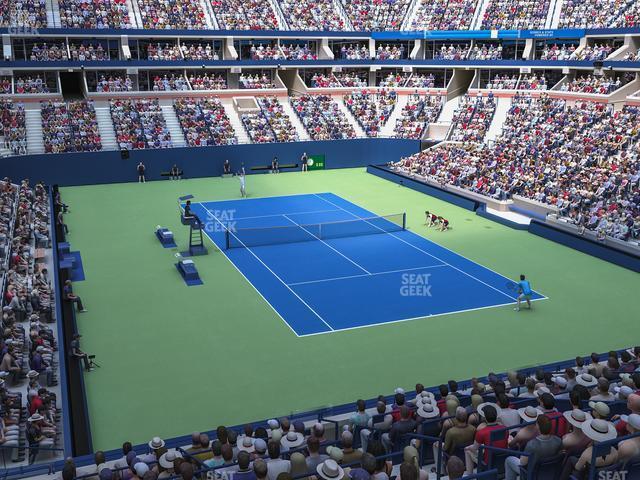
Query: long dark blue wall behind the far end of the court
x=109, y=167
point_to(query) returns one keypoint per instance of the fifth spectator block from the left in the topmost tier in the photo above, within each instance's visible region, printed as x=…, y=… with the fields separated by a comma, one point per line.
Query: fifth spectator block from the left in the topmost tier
x=312, y=15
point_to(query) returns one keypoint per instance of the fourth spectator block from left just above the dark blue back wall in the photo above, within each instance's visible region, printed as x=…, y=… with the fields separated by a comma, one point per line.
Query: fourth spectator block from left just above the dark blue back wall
x=204, y=122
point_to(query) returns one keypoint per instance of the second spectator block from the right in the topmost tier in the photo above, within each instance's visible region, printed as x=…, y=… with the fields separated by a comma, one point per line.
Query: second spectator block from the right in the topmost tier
x=518, y=14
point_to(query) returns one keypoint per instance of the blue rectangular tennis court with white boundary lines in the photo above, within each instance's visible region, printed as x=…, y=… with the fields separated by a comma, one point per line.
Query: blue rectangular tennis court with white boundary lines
x=325, y=264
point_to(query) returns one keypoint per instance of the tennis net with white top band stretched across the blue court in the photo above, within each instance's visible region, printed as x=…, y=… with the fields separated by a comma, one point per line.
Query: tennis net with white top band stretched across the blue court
x=255, y=237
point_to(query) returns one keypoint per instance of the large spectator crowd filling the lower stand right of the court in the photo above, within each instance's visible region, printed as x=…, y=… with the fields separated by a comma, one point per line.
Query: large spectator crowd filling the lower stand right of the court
x=579, y=158
